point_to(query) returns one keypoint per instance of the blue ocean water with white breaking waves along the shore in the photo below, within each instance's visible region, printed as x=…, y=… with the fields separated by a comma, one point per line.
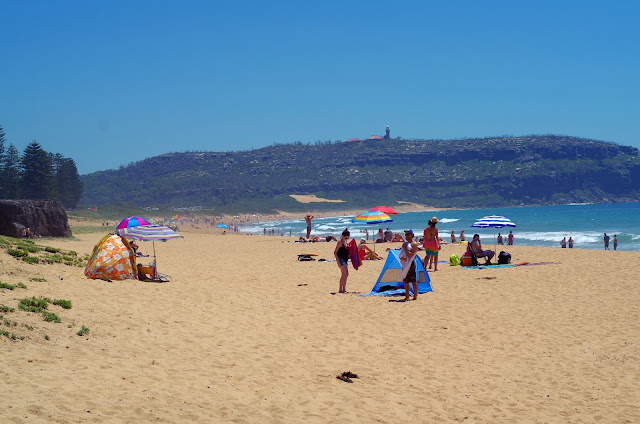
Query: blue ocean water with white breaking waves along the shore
x=536, y=225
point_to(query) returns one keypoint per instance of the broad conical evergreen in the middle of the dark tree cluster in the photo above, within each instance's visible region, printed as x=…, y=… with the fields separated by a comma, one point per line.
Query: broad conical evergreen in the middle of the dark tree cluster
x=36, y=180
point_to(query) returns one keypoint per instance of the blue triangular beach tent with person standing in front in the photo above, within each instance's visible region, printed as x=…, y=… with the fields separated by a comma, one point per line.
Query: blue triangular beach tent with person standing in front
x=389, y=280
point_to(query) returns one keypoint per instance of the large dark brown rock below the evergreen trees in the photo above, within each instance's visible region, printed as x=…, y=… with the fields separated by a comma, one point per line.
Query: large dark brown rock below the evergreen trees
x=46, y=218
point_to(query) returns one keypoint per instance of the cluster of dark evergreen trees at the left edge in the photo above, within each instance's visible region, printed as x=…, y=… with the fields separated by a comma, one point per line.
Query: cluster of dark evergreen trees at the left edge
x=38, y=175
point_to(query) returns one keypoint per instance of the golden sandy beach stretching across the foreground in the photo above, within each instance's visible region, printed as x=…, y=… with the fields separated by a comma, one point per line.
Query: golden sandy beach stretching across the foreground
x=245, y=333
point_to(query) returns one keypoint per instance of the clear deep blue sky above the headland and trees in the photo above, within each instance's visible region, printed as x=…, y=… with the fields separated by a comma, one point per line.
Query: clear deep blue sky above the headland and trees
x=111, y=82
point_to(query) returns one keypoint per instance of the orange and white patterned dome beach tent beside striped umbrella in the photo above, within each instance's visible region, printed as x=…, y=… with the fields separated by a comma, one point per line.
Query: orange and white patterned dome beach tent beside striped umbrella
x=112, y=259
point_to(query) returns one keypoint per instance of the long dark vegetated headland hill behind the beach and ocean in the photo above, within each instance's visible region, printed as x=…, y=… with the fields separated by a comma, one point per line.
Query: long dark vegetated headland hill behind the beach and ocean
x=499, y=171
